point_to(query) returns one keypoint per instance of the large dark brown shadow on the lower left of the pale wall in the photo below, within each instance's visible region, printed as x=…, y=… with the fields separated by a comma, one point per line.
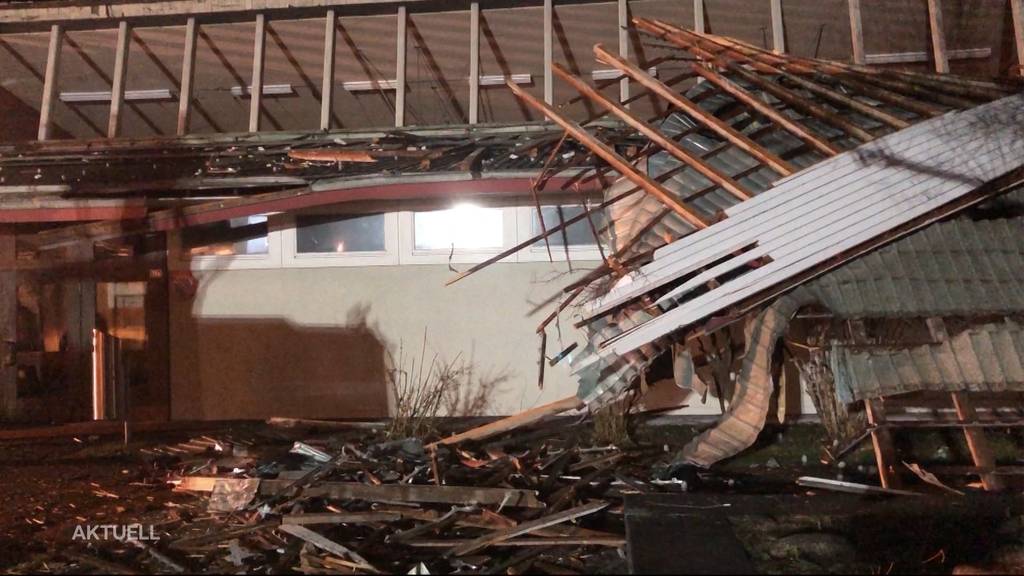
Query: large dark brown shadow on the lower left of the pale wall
x=260, y=368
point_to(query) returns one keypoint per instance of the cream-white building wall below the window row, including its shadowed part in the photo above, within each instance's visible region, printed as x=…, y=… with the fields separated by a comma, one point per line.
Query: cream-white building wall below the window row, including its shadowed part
x=490, y=319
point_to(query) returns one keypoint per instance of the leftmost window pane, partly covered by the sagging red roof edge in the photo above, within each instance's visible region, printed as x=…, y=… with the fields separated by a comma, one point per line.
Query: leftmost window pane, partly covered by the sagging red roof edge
x=246, y=236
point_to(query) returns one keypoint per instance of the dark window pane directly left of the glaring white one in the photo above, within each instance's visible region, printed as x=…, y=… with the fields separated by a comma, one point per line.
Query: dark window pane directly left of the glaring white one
x=318, y=235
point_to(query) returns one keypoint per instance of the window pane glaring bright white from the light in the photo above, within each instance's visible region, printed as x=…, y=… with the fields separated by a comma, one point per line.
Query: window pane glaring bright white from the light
x=465, y=226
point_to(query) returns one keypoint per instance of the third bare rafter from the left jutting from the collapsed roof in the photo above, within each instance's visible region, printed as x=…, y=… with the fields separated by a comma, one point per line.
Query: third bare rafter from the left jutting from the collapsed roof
x=701, y=115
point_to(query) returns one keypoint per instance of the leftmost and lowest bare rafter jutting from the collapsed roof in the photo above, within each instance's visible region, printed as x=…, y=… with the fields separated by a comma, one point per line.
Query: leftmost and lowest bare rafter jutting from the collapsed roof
x=614, y=159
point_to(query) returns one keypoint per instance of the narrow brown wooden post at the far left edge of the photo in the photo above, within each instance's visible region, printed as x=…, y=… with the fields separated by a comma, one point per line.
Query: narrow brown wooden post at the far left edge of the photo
x=9, y=326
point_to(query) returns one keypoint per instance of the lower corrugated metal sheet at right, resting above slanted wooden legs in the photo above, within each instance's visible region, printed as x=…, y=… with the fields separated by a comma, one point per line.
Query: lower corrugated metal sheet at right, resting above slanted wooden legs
x=988, y=358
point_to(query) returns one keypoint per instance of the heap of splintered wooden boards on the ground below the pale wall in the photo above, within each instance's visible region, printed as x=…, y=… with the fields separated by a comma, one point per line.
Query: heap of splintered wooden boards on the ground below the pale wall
x=355, y=503
